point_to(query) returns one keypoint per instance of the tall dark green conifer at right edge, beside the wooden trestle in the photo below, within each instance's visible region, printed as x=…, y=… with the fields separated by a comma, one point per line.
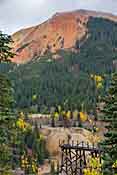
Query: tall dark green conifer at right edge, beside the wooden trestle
x=109, y=145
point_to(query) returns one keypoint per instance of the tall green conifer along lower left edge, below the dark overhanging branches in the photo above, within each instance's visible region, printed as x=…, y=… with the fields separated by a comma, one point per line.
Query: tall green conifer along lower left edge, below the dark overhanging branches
x=7, y=123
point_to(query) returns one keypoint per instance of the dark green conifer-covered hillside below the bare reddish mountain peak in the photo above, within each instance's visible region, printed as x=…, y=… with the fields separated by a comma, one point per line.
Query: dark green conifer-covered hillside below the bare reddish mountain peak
x=68, y=82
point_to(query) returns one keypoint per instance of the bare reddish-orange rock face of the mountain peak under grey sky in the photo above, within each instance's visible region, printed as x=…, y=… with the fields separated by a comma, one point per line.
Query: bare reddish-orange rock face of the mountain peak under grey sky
x=59, y=32
